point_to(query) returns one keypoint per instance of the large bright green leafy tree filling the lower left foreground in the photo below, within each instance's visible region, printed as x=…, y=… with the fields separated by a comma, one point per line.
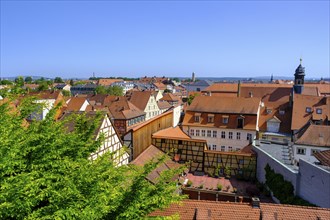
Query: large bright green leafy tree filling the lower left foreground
x=45, y=172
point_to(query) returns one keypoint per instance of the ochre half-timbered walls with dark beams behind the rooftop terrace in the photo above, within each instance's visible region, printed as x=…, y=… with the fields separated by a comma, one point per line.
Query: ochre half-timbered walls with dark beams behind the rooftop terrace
x=195, y=153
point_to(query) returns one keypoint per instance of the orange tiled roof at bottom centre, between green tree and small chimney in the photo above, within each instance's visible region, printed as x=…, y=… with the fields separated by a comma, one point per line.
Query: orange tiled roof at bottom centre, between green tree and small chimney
x=203, y=210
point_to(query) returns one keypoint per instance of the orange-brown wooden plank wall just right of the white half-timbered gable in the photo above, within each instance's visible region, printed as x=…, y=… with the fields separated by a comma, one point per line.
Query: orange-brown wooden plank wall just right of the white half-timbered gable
x=139, y=138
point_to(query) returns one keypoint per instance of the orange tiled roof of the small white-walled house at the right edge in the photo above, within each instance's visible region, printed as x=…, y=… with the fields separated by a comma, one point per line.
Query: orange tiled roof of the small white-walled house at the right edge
x=316, y=135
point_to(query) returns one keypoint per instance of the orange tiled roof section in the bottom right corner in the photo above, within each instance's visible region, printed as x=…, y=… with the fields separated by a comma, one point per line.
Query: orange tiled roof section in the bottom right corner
x=279, y=211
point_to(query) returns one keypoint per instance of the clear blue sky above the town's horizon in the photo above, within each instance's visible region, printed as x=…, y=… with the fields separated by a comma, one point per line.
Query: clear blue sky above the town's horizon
x=138, y=38
